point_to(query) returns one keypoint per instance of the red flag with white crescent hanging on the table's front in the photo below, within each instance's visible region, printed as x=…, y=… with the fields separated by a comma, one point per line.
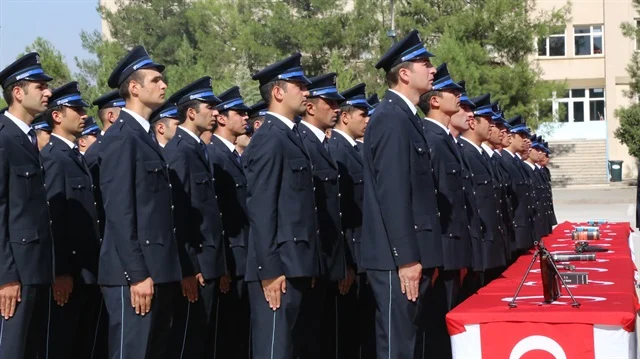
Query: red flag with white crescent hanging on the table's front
x=536, y=341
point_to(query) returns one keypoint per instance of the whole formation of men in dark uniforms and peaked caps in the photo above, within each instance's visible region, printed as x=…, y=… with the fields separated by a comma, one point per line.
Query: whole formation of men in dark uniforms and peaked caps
x=292, y=205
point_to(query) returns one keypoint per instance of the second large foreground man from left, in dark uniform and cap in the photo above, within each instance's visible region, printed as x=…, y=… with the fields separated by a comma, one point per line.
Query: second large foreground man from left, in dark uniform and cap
x=139, y=267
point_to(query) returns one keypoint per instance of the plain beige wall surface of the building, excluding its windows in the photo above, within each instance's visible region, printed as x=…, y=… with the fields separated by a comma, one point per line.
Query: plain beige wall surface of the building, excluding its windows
x=607, y=70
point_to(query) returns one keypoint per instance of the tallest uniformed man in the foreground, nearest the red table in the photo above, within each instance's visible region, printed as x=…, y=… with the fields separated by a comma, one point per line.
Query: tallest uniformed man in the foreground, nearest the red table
x=401, y=246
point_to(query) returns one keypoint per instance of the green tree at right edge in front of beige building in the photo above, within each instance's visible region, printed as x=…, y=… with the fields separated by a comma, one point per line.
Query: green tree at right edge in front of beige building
x=629, y=131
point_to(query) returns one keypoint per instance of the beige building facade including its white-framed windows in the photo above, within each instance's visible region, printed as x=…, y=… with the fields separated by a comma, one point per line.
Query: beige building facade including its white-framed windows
x=590, y=56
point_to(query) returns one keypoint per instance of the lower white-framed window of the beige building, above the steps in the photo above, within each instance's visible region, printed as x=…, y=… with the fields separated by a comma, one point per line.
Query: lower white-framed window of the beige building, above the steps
x=580, y=105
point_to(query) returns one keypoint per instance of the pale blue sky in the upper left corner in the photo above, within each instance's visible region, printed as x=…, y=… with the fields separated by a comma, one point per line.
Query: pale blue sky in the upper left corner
x=59, y=21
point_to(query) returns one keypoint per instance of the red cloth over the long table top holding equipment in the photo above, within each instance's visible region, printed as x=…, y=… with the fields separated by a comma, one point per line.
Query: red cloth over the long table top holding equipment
x=609, y=298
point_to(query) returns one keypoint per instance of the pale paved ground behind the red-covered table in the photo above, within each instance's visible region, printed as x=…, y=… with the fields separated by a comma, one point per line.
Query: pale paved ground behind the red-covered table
x=614, y=203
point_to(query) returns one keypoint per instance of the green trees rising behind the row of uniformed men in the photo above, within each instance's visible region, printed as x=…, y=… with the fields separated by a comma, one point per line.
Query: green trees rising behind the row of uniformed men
x=488, y=43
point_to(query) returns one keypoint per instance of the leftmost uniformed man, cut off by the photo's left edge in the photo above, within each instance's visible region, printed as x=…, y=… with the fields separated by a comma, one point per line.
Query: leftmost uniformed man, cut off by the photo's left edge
x=26, y=247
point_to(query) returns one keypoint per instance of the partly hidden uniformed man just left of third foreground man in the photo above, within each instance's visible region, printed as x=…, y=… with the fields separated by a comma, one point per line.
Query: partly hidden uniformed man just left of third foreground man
x=232, y=338
